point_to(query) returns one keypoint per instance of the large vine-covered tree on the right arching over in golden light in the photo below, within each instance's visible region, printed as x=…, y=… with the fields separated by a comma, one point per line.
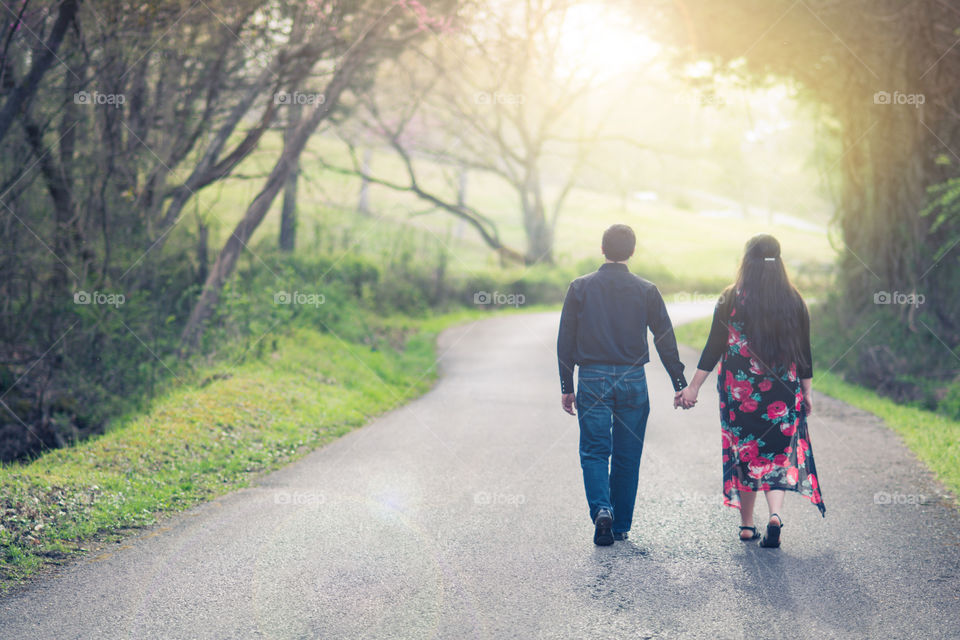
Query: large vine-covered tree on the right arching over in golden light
x=887, y=75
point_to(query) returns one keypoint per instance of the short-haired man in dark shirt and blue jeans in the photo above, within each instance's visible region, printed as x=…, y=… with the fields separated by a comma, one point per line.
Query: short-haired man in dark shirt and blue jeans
x=603, y=330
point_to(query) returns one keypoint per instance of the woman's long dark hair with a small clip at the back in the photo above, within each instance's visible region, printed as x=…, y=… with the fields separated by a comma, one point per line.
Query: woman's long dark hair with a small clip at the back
x=774, y=312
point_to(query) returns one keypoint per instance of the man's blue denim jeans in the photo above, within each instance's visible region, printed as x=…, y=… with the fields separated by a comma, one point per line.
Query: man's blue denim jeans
x=612, y=407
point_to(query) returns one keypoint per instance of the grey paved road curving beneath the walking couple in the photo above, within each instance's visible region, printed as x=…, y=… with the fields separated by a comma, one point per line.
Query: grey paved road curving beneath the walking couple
x=461, y=515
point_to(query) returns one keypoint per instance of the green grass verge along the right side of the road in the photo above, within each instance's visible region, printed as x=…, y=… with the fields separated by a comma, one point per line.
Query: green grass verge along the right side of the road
x=934, y=438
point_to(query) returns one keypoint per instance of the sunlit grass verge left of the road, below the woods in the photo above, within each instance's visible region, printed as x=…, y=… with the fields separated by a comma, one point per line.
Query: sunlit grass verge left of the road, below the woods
x=206, y=439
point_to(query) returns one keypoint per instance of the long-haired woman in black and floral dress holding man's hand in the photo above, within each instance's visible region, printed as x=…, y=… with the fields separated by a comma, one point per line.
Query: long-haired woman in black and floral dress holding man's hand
x=761, y=336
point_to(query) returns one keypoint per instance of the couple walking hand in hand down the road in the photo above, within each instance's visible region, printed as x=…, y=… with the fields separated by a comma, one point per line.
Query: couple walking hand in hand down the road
x=760, y=336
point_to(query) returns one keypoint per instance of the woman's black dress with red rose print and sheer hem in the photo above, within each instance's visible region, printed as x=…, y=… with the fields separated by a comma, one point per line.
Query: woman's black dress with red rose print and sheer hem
x=762, y=418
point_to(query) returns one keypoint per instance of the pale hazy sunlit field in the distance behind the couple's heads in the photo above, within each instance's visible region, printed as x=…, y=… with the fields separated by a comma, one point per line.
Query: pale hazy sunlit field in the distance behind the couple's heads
x=675, y=235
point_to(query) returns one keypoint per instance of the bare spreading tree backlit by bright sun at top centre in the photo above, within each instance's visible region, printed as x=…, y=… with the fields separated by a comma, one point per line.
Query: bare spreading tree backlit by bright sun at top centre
x=495, y=99
